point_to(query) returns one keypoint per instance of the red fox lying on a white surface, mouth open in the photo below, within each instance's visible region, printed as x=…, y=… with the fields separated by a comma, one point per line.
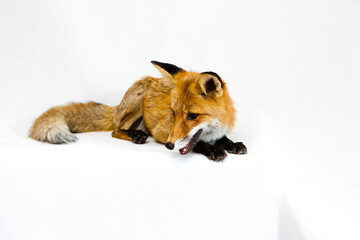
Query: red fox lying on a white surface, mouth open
x=184, y=110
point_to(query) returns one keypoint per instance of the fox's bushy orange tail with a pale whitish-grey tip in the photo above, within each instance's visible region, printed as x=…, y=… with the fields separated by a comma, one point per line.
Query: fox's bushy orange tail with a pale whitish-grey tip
x=58, y=124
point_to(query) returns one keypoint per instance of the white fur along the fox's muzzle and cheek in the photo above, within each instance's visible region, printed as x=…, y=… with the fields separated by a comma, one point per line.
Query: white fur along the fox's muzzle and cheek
x=212, y=131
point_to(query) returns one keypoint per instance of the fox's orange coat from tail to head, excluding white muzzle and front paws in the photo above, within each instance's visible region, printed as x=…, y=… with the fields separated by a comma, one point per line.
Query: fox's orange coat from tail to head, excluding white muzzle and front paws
x=163, y=103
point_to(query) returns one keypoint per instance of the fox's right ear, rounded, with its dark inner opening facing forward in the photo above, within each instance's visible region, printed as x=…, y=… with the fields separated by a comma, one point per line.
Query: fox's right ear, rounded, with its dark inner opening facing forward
x=211, y=84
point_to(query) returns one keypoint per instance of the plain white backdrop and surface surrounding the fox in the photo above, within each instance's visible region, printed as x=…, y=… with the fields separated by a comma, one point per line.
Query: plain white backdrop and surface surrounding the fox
x=293, y=70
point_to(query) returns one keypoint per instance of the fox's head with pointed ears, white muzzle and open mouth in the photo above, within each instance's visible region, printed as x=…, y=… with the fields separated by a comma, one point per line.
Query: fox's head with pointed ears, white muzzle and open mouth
x=201, y=106
